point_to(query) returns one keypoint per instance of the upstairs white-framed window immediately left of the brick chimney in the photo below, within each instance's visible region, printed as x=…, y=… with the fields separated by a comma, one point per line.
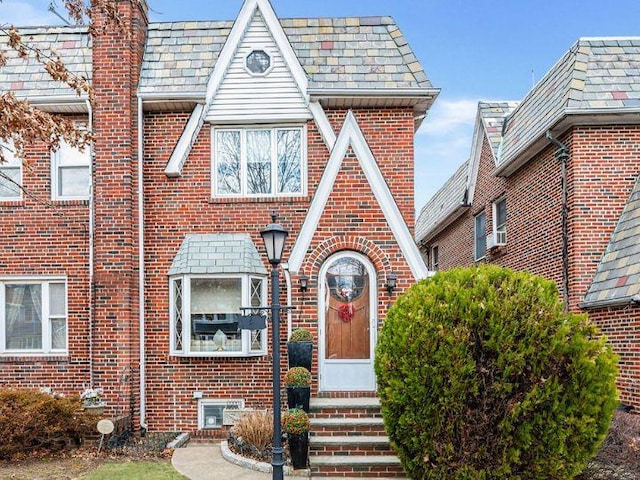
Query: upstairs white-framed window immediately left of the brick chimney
x=71, y=173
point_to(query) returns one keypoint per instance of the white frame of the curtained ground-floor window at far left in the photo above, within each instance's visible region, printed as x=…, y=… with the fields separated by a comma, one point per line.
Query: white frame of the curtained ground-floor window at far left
x=46, y=316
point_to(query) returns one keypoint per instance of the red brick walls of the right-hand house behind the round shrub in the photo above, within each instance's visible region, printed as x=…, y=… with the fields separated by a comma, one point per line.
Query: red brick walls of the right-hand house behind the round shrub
x=602, y=170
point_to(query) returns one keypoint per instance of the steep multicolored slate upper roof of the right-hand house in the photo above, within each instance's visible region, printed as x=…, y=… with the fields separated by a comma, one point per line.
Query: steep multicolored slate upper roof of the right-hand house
x=595, y=75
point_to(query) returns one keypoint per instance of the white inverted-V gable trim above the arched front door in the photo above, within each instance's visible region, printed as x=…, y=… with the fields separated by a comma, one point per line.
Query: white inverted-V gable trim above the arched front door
x=351, y=135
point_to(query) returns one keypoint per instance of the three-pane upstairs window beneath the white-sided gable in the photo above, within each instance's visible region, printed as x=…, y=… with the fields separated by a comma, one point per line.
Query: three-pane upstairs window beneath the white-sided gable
x=256, y=162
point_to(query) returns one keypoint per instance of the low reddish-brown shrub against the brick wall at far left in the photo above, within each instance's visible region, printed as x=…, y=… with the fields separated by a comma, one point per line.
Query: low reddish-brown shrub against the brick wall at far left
x=35, y=423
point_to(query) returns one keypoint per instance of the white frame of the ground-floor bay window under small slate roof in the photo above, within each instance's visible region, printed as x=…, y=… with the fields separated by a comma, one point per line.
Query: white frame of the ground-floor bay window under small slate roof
x=186, y=316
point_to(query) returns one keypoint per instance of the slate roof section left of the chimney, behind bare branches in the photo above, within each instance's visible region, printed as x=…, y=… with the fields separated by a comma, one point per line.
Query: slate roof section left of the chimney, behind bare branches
x=27, y=78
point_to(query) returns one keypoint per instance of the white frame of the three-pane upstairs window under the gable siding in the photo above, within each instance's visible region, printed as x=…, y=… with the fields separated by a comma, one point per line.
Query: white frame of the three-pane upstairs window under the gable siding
x=274, y=161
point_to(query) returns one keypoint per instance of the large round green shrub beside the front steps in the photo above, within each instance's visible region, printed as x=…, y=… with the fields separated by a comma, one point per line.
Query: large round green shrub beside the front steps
x=482, y=376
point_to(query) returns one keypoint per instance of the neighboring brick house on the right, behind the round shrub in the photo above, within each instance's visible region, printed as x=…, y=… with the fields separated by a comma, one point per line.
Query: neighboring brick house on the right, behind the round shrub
x=545, y=188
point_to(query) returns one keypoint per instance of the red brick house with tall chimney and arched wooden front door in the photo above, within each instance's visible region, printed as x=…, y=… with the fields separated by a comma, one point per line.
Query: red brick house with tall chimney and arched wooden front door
x=127, y=272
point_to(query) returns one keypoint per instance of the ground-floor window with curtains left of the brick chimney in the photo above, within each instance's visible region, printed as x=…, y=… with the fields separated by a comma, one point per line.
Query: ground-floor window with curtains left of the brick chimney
x=33, y=316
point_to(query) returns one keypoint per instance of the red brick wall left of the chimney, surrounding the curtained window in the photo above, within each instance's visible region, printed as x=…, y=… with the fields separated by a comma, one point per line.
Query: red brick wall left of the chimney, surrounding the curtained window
x=39, y=237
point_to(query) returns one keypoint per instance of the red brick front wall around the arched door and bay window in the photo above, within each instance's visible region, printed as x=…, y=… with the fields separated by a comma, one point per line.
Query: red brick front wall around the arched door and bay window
x=177, y=206
